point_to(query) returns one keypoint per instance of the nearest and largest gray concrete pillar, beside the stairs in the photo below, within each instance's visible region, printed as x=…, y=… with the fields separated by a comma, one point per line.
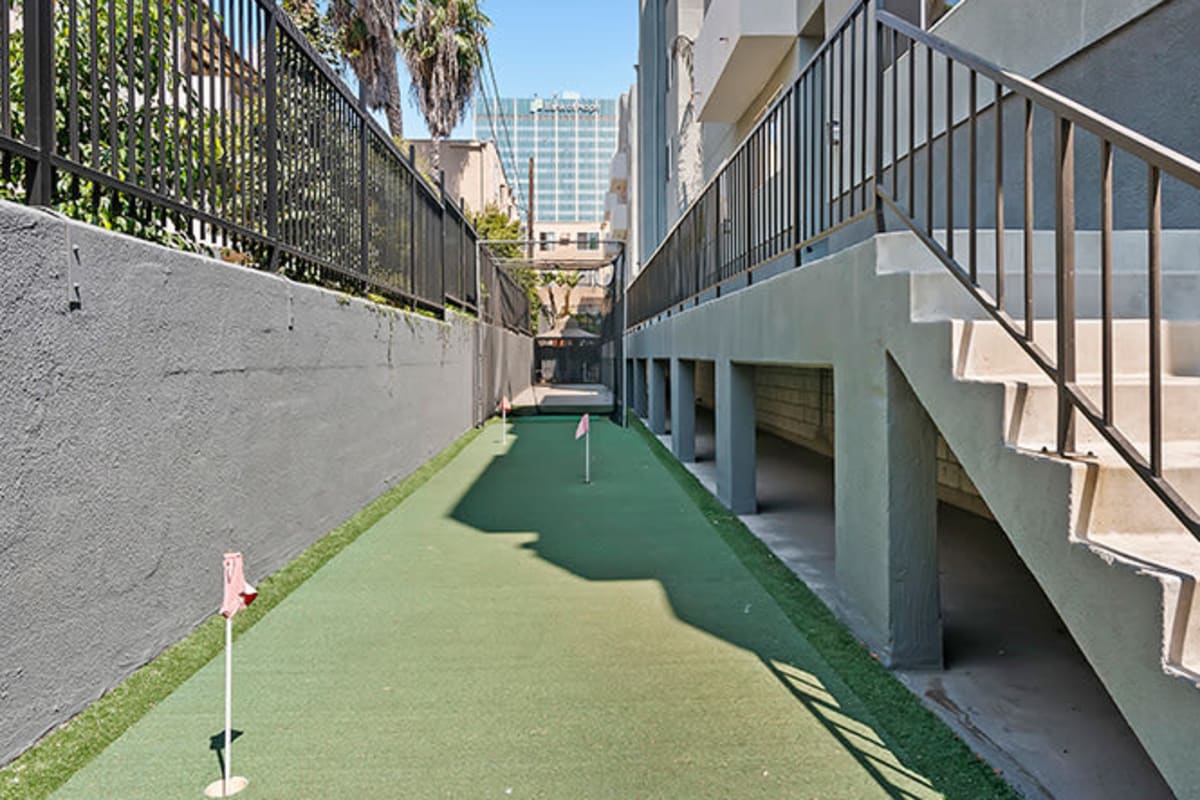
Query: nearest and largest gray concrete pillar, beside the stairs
x=886, y=490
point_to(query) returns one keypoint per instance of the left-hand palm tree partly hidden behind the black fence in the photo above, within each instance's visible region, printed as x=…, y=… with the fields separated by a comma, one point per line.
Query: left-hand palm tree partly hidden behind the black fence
x=367, y=33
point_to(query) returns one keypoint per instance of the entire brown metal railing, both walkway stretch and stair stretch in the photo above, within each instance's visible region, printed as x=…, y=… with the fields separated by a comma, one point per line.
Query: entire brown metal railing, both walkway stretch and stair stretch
x=889, y=123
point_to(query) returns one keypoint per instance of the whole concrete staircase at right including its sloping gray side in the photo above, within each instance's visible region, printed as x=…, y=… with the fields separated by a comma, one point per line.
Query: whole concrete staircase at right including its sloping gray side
x=1121, y=570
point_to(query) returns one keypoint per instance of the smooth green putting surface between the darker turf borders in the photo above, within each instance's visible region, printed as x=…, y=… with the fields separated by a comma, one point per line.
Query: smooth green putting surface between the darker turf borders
x=512, y=633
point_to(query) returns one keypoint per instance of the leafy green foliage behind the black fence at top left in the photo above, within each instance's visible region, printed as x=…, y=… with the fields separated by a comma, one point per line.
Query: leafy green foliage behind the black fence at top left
x=125, y=111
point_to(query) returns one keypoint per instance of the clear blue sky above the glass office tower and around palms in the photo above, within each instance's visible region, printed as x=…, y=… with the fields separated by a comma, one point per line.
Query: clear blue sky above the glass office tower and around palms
x=548, y=46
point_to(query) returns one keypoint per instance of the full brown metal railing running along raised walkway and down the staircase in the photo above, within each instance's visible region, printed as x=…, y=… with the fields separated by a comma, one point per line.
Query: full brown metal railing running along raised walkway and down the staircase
x=741, y=220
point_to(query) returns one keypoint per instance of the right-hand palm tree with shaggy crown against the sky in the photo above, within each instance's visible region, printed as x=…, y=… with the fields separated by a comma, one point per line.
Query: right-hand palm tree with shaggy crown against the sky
x=443, y=45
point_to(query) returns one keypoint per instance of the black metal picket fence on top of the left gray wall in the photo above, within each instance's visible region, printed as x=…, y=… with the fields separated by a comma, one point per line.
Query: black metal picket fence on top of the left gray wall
x=215, y=125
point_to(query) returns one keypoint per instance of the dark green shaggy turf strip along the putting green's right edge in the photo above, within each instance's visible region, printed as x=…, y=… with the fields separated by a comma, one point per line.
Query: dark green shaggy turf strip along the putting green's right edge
x=928, y=745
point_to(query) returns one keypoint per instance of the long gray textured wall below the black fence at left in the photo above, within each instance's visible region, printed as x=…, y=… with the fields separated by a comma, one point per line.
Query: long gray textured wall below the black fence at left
x=187, y=408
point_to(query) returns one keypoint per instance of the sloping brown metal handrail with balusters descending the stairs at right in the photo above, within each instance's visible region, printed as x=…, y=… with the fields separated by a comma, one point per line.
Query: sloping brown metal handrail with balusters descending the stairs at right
x=1069, y=116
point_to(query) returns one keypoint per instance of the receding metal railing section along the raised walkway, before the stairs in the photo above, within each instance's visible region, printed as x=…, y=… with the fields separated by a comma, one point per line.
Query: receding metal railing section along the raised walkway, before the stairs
x=785, y=219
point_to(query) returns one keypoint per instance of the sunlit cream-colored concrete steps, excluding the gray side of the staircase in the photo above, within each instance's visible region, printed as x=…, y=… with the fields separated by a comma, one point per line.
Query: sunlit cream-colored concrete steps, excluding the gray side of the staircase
x=1119, y=516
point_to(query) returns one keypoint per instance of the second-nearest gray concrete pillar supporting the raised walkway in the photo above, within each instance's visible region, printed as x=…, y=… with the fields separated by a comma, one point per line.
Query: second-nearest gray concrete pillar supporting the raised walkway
x=735, y=437
